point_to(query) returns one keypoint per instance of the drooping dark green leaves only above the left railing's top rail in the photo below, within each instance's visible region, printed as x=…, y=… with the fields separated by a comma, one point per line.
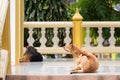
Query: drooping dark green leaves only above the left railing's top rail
x=46, y=10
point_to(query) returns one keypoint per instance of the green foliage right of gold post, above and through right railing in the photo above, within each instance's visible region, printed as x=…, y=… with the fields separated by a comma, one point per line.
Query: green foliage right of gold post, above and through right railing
x=98, y=10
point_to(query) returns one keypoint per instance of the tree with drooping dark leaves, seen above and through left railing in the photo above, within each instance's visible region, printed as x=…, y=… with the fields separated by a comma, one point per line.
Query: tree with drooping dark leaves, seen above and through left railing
x=46, y=10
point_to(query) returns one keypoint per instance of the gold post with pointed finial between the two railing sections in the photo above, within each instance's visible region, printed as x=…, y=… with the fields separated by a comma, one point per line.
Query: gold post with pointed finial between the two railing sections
x=77, y=29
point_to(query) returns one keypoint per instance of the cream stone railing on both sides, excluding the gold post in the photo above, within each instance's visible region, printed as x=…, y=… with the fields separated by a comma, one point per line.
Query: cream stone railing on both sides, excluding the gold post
x=55, y=49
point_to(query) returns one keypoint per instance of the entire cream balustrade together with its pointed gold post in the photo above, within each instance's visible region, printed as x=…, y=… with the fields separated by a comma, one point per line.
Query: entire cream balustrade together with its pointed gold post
x=73, y=34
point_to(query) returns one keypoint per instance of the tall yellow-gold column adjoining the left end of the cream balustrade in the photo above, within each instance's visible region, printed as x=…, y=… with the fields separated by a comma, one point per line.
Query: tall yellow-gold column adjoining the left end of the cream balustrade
x=19, y=29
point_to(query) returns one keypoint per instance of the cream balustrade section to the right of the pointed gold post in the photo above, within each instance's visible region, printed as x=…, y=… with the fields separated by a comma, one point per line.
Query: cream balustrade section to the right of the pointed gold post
x=100, y=47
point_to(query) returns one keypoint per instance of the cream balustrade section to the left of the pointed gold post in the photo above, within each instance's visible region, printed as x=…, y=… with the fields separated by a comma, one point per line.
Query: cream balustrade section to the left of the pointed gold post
x=51, y=41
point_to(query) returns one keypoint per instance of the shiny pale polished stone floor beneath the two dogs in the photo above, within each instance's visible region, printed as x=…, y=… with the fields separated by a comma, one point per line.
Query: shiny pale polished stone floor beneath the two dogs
x=61, y=67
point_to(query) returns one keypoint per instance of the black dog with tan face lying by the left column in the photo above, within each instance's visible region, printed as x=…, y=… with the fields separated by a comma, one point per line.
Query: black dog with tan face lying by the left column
x=31, y=55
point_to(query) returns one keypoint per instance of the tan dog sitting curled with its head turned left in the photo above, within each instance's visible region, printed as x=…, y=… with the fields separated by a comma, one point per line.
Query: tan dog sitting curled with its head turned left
x=86, y=61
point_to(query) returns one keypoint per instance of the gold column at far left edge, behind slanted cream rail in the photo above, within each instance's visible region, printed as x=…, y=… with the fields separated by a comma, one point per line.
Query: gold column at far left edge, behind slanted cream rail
x=6, y=38
